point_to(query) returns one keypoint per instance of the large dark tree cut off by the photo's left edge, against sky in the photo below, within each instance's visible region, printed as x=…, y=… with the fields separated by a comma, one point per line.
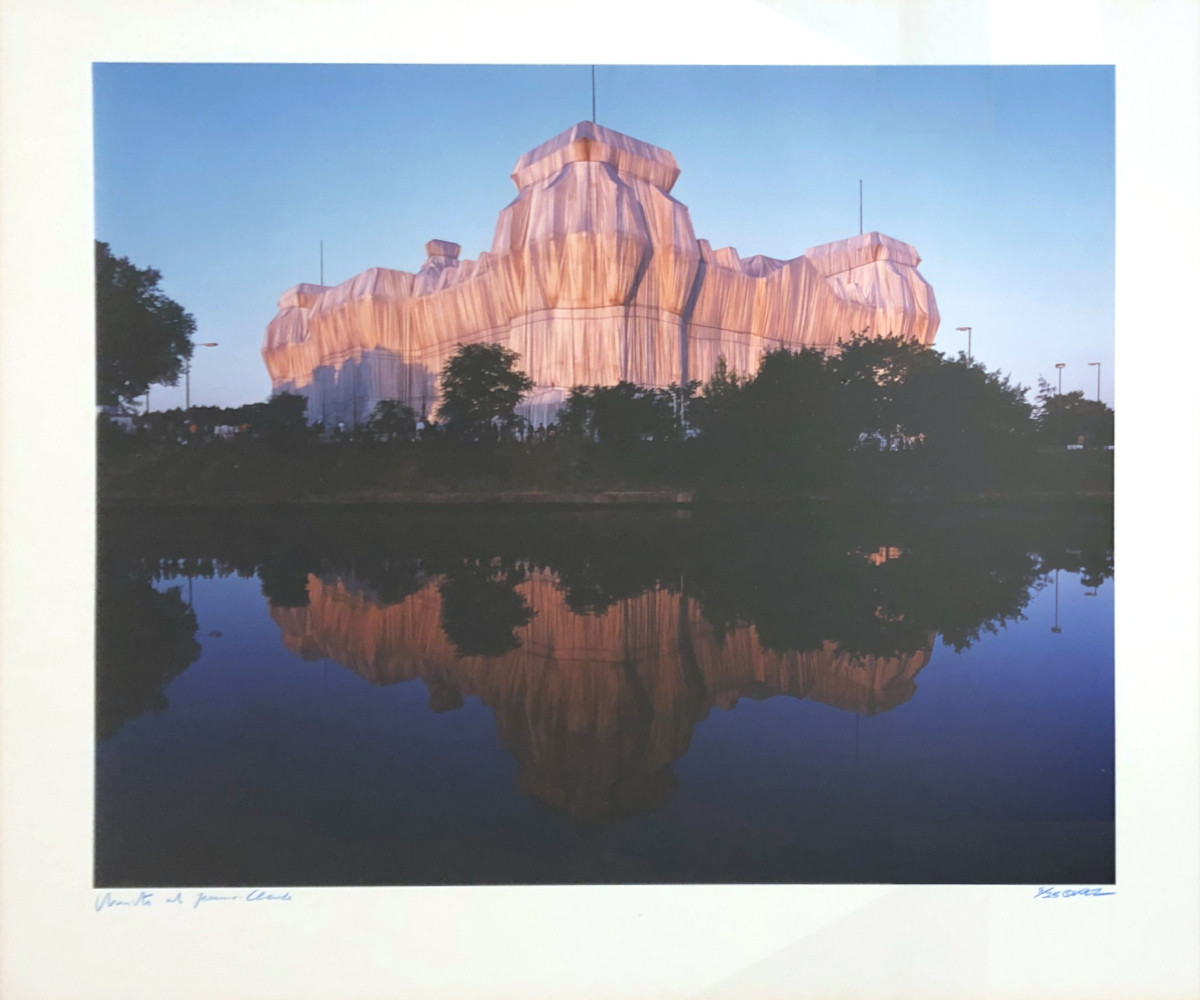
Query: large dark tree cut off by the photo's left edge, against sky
x=142, y=336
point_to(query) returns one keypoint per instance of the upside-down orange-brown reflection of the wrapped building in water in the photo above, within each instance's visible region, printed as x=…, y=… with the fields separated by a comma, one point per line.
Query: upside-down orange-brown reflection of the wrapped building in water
x=595, y=708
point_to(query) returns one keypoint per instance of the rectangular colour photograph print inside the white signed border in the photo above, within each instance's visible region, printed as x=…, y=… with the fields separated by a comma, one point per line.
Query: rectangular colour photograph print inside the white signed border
x=604, y=475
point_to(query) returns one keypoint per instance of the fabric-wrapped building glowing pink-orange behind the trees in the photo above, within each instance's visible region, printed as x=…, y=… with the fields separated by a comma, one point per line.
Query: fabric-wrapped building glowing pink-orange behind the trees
x=595, y=277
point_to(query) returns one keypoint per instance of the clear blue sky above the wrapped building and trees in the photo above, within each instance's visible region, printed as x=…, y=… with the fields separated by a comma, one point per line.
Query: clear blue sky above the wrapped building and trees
x=227, y=179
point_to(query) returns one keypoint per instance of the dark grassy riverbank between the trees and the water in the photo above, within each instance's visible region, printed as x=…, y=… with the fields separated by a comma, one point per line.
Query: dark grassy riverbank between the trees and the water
x=357, y=474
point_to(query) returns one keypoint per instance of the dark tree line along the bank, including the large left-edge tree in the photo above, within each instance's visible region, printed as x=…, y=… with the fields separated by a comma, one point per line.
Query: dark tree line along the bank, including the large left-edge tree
x=802, y=420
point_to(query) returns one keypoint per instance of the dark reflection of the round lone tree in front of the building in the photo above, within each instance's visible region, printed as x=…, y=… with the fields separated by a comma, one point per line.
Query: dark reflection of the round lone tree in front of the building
x=481, y=612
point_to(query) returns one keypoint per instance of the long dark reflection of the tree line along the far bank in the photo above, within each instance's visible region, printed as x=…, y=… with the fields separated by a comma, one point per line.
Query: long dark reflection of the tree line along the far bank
x=799, y=579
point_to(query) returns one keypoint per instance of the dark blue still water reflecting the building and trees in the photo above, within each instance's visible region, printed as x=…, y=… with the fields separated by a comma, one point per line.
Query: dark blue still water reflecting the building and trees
x=369, y=698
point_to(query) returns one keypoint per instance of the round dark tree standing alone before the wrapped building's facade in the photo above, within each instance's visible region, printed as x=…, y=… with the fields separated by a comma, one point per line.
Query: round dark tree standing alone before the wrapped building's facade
x=481, y=391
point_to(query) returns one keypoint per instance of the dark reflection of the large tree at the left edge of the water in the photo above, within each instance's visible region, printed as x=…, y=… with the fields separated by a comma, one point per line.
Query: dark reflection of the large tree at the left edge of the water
x=145, y=638
